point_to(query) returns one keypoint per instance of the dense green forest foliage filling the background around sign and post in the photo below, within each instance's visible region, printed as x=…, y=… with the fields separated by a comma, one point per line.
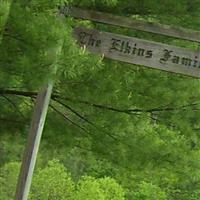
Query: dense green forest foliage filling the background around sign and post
x=114, y=131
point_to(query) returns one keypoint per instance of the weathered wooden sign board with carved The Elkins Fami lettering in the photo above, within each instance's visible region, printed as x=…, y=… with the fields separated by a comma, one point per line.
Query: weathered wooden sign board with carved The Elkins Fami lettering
x=140, y=52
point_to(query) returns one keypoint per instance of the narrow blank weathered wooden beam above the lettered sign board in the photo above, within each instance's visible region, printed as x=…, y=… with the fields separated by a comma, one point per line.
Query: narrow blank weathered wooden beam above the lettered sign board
x=126, y=22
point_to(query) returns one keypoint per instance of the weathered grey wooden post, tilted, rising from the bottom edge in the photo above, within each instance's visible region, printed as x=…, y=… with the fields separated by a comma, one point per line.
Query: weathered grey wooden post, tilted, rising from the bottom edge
x=30, y=154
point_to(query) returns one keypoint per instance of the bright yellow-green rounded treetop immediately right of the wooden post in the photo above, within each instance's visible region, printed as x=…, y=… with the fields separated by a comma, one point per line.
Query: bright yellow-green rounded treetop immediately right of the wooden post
x=52, y=182
